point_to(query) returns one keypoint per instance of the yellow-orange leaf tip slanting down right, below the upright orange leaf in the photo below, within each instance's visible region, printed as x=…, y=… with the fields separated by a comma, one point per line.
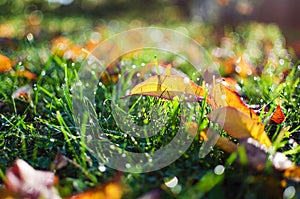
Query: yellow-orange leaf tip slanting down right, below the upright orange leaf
x=239, y=125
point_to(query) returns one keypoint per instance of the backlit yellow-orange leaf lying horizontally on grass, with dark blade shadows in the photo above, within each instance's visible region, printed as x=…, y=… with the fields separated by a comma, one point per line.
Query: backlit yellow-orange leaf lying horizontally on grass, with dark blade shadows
x=169, y=86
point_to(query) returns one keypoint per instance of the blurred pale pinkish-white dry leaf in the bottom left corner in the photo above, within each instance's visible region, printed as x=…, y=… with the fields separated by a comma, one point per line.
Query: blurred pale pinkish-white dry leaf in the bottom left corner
x=24, y=181
